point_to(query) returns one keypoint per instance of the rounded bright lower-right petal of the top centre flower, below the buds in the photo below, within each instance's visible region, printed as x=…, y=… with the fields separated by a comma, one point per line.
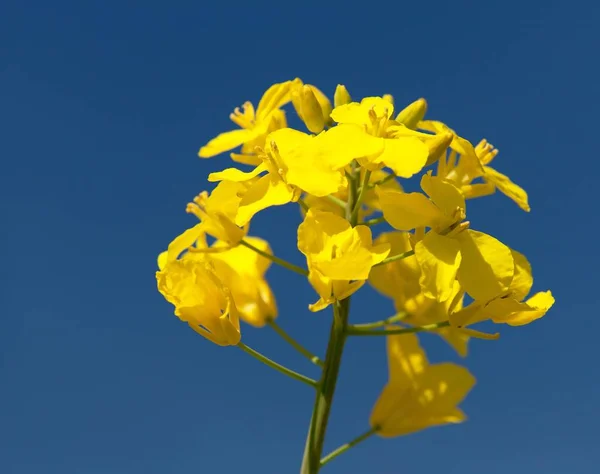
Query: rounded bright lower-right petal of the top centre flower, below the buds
x=404, y=156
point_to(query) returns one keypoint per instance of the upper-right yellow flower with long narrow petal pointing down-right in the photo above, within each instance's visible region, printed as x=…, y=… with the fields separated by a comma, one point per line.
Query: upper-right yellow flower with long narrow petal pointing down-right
x=462, y=169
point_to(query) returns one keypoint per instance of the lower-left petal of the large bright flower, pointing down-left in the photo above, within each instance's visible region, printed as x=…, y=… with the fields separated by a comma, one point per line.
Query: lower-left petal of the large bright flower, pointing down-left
x=266, y=192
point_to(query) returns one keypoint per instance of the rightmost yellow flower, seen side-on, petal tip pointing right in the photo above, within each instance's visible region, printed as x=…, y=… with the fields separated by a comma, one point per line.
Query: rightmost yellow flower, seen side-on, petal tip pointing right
x=509, y=307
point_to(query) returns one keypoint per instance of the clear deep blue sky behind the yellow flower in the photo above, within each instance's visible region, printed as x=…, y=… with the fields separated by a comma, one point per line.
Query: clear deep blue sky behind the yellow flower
x=103, y=106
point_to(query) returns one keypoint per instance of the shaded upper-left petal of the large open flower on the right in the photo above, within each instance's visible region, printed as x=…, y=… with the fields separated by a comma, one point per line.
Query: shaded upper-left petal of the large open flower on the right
x=408, y=211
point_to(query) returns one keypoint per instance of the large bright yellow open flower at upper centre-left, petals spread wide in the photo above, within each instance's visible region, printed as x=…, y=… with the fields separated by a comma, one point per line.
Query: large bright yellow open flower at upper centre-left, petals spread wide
x=296, y=162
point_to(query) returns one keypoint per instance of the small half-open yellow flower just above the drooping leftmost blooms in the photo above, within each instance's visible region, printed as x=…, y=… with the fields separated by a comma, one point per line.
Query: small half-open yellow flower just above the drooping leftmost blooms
x=217, y=212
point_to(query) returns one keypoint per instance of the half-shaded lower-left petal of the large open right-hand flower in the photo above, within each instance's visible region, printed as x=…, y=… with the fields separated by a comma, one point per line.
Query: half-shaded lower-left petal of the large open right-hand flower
x=439, y=258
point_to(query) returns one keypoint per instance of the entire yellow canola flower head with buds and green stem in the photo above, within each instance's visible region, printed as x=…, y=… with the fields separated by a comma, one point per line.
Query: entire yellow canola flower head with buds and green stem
x=344, y=170
